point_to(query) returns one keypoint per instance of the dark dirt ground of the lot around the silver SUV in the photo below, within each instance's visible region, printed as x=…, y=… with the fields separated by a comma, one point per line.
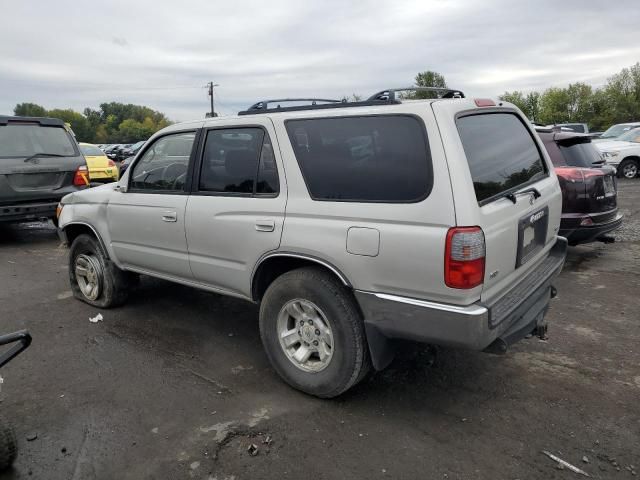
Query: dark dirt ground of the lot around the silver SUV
x=175, y=385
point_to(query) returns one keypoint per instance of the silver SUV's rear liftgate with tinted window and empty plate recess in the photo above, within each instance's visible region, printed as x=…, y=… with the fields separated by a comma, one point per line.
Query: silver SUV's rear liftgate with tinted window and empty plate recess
x=504, y=183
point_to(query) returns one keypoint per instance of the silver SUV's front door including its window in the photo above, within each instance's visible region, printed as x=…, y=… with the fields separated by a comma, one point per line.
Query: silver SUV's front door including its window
x=147, y=222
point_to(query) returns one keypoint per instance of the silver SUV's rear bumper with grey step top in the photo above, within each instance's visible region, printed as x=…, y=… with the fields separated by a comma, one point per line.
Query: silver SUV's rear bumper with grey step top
x=519, y=312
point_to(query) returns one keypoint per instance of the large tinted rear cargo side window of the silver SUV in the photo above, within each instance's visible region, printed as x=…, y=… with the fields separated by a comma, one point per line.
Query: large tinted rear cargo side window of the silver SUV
x=365, y=159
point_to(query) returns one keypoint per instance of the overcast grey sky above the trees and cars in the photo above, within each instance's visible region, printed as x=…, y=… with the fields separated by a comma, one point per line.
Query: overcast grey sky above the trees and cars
x=76, y=54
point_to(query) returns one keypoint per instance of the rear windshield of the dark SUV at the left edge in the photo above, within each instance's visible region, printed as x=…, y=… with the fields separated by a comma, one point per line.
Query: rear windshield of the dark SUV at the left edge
x=23, y=140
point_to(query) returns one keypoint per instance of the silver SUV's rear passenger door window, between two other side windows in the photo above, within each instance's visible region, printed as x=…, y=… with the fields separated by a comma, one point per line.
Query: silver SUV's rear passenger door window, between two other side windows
x=239, y=160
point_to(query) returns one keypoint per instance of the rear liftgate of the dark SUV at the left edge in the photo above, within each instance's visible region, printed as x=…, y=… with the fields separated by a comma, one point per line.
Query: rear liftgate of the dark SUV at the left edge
x=37, y=161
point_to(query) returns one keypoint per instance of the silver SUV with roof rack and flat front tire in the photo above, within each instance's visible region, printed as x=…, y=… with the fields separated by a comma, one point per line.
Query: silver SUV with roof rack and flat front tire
x=352, y=224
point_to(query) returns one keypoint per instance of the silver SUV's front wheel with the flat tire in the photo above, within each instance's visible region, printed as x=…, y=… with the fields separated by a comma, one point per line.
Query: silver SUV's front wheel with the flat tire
x=94, y=278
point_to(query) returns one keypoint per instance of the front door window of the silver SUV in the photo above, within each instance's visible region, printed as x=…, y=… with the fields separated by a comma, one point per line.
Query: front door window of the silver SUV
x=164, y=164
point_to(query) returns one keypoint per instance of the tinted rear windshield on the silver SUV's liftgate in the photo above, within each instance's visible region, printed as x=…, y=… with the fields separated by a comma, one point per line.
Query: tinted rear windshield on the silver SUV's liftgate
x=501, y=153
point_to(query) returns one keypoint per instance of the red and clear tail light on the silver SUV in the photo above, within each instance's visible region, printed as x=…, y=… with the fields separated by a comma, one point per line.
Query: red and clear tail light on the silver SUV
x=464, y=257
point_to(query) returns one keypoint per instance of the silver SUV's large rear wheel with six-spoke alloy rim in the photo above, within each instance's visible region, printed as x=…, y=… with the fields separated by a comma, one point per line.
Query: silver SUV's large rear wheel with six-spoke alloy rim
x=313, y=333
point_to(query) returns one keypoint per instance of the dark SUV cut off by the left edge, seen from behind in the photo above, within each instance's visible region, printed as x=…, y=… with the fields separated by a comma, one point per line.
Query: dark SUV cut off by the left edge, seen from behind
x=39, y=164
